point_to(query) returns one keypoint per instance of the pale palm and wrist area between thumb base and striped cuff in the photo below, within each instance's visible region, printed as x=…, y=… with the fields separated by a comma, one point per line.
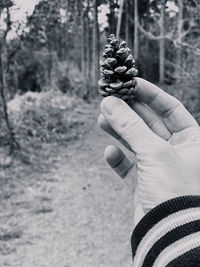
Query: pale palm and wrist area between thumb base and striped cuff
x=171, y=170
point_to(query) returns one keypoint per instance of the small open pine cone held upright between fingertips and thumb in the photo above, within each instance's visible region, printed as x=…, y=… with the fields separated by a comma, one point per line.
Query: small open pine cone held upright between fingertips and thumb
x=117, y=71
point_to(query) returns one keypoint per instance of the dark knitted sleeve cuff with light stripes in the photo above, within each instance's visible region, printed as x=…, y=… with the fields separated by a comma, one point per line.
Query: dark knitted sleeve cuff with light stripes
x=169, y=235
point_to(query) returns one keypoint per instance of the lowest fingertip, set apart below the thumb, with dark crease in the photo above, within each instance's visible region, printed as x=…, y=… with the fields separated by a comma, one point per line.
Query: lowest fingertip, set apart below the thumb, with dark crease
x=118, y=161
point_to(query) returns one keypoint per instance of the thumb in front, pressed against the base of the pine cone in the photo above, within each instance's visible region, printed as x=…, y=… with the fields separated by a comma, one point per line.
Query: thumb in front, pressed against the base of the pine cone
x=130, y=126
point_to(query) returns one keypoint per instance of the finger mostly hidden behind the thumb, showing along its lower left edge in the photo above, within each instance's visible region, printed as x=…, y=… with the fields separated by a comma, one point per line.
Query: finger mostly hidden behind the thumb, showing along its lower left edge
x=105, y=125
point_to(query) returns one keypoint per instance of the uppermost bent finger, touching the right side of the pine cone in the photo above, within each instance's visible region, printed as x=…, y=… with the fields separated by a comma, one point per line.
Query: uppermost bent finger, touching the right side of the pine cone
x=174, y=114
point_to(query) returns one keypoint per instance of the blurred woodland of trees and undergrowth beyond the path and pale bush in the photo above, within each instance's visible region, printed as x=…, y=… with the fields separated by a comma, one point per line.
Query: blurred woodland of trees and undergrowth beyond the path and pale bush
x=58, y=47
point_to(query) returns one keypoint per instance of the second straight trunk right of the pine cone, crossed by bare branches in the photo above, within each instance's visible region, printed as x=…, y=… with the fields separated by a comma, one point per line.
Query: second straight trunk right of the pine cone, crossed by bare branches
x=162, y=45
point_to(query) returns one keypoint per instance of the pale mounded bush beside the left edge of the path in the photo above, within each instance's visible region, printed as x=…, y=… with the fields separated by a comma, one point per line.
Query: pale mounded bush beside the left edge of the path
x=46, y=117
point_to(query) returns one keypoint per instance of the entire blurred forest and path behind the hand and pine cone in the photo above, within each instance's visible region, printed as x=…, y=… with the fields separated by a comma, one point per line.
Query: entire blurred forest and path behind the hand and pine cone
x=60, y=203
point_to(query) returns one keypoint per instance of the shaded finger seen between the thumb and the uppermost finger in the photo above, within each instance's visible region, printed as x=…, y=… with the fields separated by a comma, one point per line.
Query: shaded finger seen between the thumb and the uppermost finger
x=154, y=122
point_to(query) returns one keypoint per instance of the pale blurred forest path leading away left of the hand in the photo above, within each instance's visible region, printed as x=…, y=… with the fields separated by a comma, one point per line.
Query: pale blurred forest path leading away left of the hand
x=75, y=214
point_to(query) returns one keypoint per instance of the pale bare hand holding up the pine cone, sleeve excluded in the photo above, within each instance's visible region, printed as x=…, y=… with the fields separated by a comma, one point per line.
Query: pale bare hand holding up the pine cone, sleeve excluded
x=165, y=139
